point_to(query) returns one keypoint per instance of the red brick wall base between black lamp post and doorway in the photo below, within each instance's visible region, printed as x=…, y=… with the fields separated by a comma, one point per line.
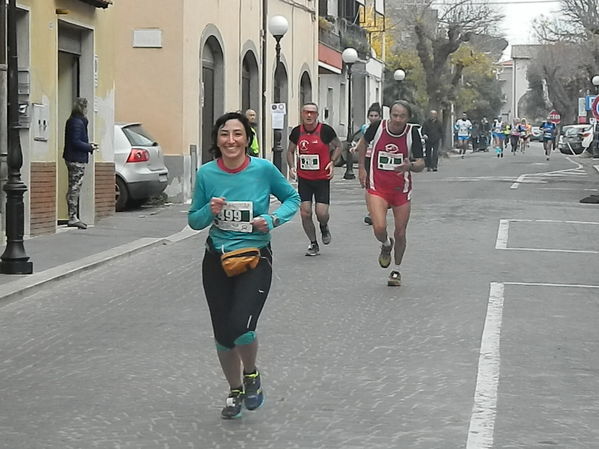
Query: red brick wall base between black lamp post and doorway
x=43, y=198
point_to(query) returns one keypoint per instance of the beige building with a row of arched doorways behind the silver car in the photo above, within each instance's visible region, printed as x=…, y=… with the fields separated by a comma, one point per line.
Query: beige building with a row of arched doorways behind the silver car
x=180, y=67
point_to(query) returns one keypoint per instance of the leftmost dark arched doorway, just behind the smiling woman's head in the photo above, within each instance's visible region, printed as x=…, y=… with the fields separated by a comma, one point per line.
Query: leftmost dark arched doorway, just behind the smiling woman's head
x=211, y=92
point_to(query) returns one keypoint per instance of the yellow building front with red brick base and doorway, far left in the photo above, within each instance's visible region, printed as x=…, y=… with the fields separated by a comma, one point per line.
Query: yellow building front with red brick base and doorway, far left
x=65, y=50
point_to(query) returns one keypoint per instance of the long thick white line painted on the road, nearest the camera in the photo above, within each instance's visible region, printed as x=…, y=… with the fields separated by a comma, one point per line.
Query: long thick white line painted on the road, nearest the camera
x=482, y=421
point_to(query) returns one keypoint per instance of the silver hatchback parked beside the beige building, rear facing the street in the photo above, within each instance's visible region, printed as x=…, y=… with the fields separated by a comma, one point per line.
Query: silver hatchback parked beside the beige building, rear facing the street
x=139, y=165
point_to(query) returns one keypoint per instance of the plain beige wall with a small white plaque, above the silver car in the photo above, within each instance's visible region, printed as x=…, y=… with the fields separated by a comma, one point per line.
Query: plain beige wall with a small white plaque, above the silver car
x=149, y=84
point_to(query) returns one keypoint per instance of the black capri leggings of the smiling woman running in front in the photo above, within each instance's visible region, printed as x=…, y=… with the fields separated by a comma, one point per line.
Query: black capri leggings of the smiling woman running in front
x=235, y=303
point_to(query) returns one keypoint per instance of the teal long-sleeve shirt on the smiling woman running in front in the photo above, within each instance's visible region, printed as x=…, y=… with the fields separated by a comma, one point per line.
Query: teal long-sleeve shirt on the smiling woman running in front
x=254, y=183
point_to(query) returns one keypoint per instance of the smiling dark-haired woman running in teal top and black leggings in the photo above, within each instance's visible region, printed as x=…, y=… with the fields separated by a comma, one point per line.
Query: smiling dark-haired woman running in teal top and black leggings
x=232, y=196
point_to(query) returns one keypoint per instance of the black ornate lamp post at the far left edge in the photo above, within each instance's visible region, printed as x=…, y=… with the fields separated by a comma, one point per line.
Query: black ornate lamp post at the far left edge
x=14, y=260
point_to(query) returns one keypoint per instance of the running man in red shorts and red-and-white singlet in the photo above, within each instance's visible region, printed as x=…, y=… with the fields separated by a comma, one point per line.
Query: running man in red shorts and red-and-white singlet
x=396, y=152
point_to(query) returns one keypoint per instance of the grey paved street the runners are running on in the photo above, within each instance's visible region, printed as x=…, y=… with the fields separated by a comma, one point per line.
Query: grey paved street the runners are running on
x=491, y=341
